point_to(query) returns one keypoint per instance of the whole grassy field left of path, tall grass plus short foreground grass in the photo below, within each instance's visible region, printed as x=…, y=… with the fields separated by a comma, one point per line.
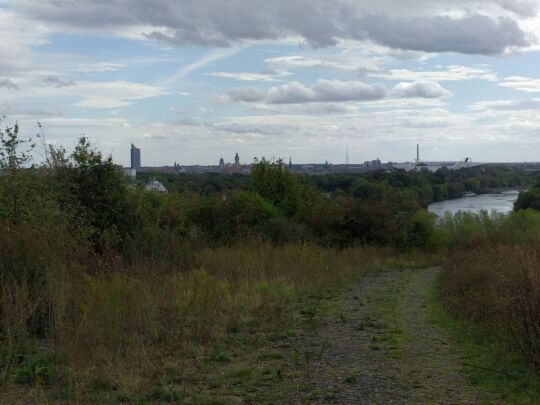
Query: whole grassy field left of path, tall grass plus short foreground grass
x=220, y=331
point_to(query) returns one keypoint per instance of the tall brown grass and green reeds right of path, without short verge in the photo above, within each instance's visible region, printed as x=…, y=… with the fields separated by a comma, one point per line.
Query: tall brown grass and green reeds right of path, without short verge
x=492, y=277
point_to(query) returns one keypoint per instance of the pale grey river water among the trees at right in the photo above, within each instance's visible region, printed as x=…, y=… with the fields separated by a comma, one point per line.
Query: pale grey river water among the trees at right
x=503, y=202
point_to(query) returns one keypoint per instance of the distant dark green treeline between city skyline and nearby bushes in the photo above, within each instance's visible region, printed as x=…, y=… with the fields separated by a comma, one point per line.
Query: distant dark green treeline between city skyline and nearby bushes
x=426, y=187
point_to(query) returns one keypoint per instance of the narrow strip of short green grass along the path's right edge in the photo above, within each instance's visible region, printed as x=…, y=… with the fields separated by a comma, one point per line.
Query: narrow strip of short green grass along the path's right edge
x=488, y=362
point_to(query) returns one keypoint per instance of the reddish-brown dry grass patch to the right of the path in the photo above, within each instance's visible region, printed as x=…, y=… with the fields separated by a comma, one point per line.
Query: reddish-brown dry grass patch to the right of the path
x=498, y=287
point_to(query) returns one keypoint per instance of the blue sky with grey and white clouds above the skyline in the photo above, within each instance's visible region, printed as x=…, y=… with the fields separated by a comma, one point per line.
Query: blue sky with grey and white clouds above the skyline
x=195, y=80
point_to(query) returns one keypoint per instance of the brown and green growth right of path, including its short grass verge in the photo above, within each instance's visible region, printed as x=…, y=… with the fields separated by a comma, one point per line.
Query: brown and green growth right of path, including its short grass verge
x=491, y=283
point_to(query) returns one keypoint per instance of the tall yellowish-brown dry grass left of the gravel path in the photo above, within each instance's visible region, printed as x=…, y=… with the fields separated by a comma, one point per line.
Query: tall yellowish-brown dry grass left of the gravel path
x=75, y=319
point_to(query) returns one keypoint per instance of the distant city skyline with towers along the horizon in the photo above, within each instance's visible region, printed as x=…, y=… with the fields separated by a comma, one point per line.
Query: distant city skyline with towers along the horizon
x=237, y=167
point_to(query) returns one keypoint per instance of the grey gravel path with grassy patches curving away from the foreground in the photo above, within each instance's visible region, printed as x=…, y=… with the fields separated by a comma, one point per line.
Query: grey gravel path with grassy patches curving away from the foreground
x=377, y=346
